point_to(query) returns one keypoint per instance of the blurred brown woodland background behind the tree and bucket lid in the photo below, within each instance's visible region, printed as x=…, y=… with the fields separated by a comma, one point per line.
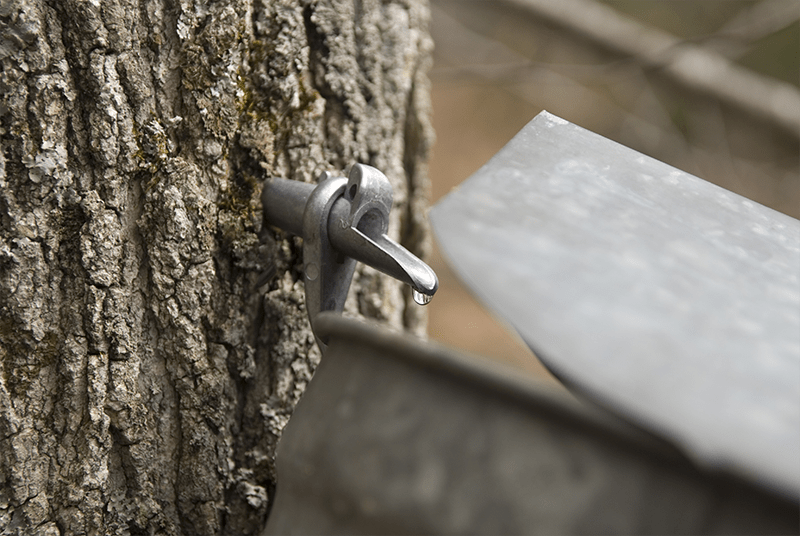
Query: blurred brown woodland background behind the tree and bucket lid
x=711, y=87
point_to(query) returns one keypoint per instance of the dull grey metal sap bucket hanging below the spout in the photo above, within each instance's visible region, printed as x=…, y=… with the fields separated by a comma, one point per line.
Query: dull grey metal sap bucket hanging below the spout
x=397, y=436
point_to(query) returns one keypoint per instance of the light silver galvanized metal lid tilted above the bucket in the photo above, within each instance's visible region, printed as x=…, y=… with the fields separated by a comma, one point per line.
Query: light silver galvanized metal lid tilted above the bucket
x=670, y=300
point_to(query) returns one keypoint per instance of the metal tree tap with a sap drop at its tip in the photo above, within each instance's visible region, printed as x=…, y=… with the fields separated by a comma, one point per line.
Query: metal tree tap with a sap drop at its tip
x=341, y=221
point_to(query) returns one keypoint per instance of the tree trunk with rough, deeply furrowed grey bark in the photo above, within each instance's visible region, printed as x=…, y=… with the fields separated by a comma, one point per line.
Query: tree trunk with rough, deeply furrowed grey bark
x=153, y=339
